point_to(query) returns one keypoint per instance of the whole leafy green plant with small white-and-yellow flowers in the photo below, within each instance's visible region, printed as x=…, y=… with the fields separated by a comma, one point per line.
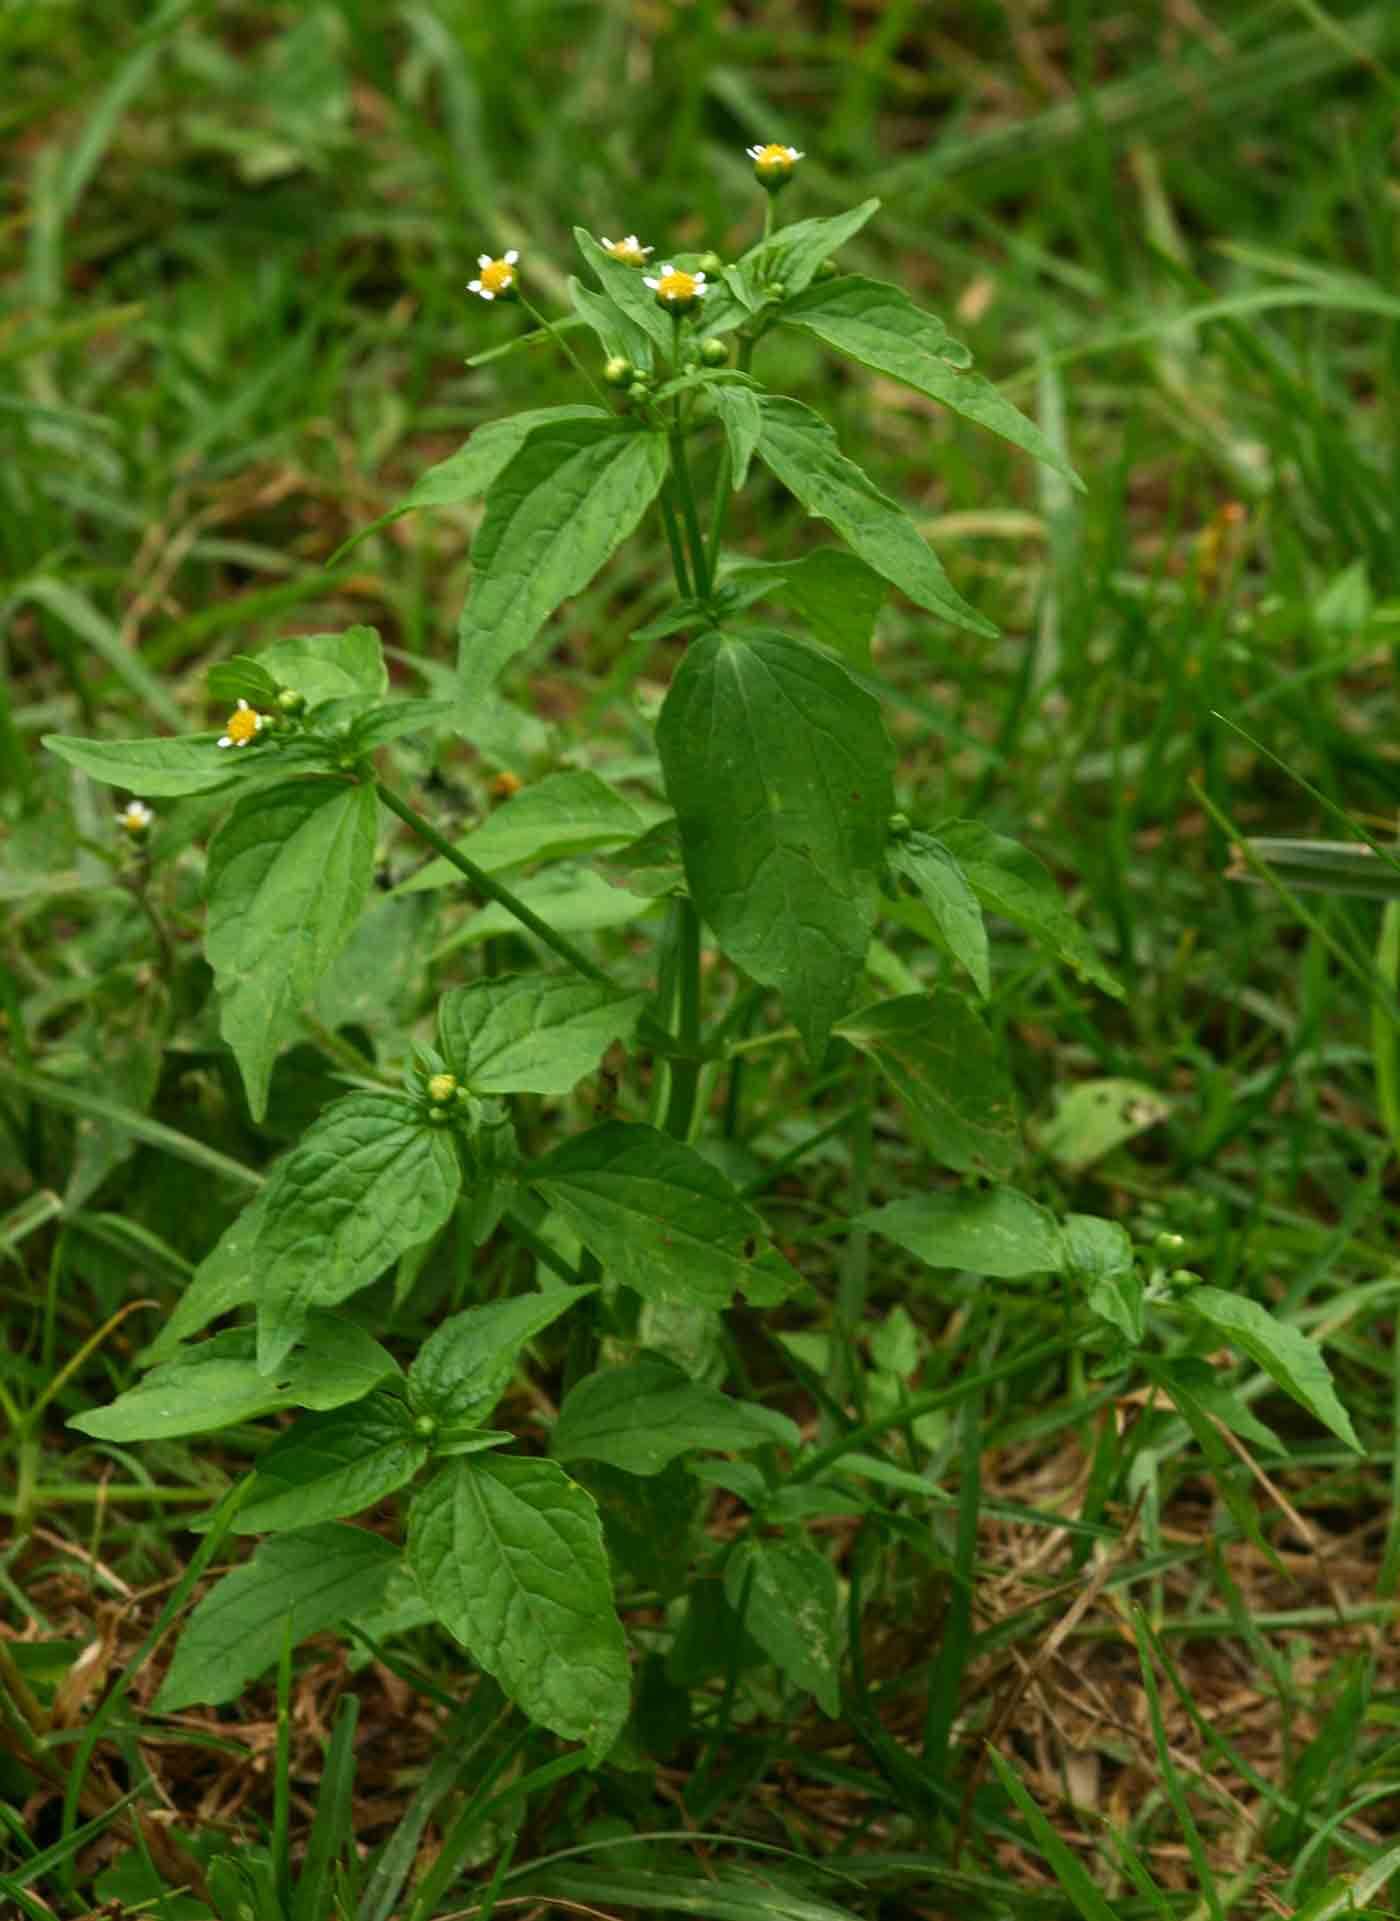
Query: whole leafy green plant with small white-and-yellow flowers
x=765, y=846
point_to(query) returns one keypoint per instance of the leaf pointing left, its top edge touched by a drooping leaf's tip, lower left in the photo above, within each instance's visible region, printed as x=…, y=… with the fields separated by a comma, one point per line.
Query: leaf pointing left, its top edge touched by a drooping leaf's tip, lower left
x=218, y=1384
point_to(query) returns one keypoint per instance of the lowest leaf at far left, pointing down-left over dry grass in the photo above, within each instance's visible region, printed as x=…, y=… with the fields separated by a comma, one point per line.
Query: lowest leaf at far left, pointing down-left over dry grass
x=316, y=1578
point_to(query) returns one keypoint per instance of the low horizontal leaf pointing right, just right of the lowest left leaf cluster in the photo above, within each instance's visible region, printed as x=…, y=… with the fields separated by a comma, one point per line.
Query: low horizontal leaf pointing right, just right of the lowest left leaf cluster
x=644, y=1417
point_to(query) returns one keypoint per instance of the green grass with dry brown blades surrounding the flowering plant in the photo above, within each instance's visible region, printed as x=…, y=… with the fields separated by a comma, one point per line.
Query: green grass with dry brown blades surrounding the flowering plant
x=237, y=331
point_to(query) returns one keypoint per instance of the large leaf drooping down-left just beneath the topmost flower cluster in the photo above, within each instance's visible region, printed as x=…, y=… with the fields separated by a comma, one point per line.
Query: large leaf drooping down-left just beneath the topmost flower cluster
x=562, y=508
